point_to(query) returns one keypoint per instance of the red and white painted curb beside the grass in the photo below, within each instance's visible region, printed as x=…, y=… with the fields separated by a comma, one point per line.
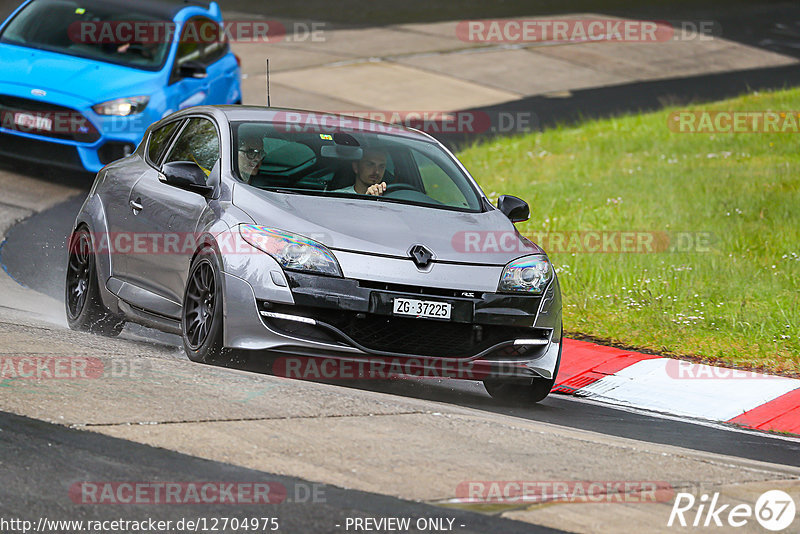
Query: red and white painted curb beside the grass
x=665, y=385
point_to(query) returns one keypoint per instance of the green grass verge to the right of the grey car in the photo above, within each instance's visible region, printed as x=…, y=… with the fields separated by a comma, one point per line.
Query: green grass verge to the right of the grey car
x=737, y=303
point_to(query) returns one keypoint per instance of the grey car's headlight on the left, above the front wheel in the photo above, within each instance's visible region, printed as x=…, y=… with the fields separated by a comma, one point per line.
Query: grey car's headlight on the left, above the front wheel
x=292, y=251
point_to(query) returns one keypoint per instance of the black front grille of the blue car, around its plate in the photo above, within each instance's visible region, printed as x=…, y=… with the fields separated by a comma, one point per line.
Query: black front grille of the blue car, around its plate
x=65, y=123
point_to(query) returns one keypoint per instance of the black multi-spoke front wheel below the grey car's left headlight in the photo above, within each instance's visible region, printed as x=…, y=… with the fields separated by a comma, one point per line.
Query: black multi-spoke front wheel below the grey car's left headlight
x=201, y=317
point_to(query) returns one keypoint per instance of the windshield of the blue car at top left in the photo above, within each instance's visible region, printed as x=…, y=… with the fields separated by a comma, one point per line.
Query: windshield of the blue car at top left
x=92, y=30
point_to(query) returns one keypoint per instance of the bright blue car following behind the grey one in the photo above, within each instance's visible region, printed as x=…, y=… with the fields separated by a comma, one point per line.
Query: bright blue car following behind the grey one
x=81, y=80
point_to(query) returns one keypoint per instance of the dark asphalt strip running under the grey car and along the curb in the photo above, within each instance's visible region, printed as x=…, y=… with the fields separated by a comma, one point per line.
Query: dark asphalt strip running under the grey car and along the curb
x=34, y=254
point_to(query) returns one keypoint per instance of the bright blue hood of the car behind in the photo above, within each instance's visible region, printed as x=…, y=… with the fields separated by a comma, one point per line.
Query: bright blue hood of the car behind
x=93, y=81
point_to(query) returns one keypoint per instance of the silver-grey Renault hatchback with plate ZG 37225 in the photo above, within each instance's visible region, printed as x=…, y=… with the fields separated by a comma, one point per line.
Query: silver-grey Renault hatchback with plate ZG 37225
x=292, y=234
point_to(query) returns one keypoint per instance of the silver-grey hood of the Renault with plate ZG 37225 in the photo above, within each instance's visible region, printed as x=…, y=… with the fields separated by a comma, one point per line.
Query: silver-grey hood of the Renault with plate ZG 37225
x=388, y=228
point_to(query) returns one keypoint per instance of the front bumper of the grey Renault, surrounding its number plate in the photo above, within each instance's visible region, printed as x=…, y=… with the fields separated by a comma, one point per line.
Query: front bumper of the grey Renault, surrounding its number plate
x=347, y=319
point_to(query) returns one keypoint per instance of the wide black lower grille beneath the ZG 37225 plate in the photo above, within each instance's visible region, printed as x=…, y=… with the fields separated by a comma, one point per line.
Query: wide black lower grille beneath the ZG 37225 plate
x=407, y=336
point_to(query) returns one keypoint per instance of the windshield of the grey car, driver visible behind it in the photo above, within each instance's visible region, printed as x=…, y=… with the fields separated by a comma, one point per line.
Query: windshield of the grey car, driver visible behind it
x=346, y=163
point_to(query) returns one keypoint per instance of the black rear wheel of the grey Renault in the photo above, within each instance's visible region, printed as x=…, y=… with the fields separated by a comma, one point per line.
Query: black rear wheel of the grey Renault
x=82, y=300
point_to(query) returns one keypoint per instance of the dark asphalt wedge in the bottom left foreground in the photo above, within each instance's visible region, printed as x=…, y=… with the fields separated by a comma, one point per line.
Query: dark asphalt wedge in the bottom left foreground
x=41, y=462
